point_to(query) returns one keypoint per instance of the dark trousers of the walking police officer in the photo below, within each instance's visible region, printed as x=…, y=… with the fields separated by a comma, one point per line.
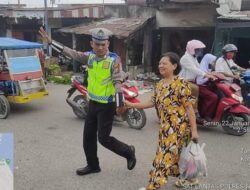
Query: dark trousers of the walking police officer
x=98, y=124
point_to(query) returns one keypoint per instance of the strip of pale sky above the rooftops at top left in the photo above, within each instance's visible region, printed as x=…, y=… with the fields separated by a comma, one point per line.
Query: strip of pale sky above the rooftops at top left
x=40, y=3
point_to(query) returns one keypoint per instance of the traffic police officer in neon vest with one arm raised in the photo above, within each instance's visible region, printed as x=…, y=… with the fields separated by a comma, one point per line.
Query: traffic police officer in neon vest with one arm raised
x=105, y=95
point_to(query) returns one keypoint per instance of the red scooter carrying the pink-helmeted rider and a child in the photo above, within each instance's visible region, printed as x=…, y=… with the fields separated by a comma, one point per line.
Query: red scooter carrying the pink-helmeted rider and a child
x=231, y=114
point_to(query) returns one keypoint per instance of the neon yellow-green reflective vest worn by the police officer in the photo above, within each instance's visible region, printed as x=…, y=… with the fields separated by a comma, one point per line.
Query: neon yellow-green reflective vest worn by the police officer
x=100, y=84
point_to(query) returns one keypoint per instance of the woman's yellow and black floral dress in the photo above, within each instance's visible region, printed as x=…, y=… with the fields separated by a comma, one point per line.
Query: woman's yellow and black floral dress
x=170, y=101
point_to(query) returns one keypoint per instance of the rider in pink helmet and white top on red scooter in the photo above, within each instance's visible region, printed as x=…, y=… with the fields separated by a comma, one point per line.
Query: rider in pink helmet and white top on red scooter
x=191, y=68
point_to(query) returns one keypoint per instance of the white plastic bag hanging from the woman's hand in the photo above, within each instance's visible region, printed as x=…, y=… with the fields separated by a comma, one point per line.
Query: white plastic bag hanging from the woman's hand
x=192, y=161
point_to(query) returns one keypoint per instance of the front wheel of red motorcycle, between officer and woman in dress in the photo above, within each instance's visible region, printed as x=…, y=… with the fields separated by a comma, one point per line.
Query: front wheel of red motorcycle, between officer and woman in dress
x=136, y=118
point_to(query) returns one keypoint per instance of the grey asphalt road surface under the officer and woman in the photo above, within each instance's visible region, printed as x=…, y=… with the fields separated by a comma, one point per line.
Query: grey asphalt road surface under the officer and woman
x=48, y=150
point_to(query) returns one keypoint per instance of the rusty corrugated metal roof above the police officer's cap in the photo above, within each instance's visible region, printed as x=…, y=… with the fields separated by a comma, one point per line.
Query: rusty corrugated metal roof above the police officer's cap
x=120, y=27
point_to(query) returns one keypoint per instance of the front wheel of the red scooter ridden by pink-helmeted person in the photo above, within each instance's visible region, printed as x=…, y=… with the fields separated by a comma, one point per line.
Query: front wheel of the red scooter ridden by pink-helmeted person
x=235, y=124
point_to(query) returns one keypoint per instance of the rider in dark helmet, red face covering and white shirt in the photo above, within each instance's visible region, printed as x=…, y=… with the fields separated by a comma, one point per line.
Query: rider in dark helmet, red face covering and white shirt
x=225, y=63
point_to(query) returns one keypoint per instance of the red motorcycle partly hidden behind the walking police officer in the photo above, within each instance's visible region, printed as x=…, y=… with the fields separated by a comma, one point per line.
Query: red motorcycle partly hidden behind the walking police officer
x=136, y=118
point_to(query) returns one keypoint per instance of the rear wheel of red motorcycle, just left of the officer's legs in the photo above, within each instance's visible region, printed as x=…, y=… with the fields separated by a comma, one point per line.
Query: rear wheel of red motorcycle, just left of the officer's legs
x=83, y=104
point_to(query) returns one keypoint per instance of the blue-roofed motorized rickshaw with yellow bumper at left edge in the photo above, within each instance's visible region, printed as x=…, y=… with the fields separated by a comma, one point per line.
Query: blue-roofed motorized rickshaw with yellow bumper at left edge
x=20, y=73
